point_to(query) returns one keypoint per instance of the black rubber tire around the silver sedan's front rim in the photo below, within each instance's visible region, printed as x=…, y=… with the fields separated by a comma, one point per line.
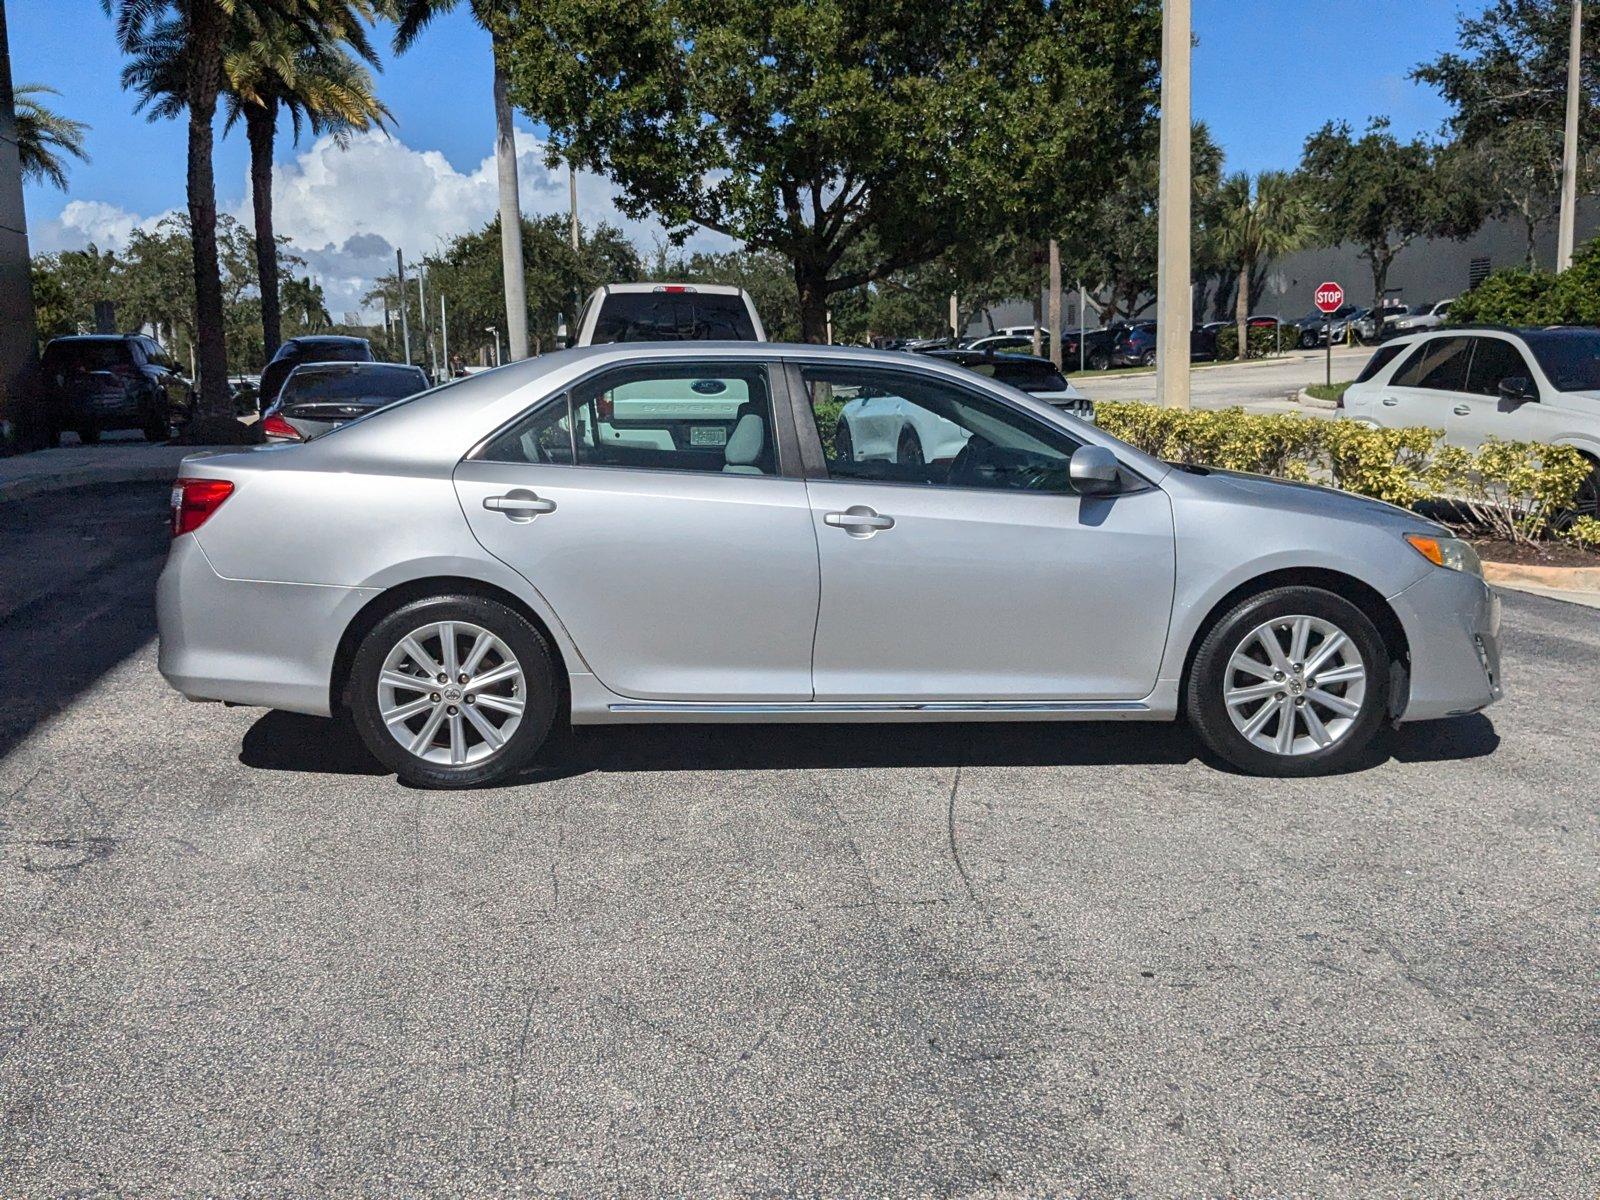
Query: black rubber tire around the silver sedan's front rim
x=1207, y=708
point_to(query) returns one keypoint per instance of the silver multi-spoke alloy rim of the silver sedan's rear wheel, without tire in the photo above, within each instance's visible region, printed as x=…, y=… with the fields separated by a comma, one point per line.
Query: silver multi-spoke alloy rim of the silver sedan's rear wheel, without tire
x=452, y=694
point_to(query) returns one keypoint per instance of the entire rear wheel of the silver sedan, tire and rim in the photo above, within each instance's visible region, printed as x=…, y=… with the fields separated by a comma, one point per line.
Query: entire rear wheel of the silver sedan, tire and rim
x=454, y=692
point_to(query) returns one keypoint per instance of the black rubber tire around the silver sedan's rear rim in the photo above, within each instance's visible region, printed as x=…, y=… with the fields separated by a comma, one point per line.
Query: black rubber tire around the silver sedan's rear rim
x=540, y=694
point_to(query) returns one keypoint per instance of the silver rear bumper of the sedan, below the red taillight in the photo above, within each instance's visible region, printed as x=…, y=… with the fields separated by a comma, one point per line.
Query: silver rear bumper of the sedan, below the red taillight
x=249, y=642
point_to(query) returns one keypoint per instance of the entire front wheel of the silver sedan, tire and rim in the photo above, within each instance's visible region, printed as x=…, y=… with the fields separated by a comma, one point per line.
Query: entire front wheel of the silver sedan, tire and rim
x=1292, y=682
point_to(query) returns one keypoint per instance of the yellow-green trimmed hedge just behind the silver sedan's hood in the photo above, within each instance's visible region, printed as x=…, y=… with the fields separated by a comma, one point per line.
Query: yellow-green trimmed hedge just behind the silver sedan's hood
x=1508, y=490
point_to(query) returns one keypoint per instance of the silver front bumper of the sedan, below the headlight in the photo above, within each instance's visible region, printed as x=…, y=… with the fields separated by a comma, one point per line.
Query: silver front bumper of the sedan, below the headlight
x=1452, y=622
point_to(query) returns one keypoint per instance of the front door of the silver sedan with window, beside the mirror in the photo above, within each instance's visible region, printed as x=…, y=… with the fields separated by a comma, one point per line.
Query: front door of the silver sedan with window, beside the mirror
x=980, y=574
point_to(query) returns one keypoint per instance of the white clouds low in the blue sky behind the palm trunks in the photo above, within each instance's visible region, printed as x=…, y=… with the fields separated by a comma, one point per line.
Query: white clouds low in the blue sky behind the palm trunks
x=346, y=210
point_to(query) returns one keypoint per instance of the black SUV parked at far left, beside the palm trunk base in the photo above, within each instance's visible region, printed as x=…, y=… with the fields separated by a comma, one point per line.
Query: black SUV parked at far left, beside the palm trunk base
x=114, y=382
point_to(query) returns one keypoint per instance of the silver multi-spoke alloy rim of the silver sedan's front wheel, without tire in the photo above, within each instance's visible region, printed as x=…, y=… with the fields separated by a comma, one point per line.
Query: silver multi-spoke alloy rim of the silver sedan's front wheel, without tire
x=1295, y=686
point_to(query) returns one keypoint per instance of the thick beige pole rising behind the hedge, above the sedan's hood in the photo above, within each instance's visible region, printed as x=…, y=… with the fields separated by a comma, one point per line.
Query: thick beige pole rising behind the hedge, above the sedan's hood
x=1174, y=298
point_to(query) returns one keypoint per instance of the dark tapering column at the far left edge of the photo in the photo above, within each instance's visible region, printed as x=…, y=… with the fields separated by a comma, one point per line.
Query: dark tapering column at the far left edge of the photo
x=18, y=343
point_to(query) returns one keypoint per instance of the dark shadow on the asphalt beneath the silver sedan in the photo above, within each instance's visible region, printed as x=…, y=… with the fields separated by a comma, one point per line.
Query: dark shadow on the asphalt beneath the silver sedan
x=284, y=742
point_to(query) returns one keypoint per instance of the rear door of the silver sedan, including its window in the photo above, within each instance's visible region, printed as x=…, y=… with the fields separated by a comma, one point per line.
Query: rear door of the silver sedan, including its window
x=679, y=558
